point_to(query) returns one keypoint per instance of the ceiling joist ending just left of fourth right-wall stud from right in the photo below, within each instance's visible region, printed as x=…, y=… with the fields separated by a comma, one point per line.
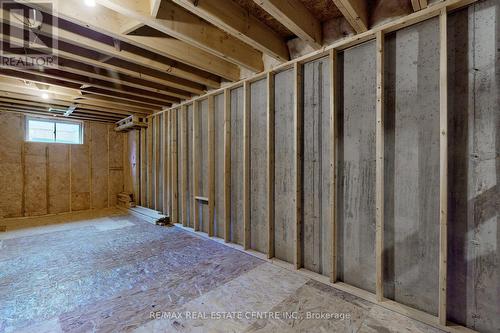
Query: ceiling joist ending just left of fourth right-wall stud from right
x=232, y=18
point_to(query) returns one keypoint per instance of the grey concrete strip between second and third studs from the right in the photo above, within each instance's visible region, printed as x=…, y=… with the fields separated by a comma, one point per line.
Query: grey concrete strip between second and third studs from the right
x=356, y=196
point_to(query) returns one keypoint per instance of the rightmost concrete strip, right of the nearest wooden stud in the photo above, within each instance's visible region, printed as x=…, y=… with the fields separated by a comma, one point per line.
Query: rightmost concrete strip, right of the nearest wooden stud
x=474, y=166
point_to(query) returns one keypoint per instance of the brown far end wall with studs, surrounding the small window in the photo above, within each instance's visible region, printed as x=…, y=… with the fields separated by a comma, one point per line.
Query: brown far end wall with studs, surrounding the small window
x=48, y=178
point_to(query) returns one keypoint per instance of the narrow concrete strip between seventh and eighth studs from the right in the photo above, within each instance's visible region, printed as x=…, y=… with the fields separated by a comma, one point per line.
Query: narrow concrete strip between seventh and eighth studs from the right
x=219, y=166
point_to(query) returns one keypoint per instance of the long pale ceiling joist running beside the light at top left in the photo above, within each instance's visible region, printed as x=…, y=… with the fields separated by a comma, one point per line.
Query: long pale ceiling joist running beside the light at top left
x=108, y=22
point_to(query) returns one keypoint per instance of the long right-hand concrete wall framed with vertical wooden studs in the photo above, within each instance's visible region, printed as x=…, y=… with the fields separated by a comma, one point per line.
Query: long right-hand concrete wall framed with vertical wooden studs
x=411, y=134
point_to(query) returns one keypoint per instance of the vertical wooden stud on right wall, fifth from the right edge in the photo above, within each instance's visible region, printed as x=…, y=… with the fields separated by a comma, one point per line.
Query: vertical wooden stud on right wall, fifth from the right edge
x=270, y=165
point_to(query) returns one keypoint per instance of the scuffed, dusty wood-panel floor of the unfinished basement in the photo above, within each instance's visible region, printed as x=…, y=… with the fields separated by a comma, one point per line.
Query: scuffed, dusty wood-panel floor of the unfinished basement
x=116, y=273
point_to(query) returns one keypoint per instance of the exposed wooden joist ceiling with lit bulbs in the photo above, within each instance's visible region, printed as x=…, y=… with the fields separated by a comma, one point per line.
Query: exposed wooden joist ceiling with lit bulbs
x=121, y=57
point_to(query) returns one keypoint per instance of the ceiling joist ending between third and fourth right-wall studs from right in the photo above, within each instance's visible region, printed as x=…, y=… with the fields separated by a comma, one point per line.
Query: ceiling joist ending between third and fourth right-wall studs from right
x=295, y=16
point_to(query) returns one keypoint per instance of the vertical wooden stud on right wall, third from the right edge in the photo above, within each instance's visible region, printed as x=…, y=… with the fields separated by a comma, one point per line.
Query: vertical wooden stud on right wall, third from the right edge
x=334, y=85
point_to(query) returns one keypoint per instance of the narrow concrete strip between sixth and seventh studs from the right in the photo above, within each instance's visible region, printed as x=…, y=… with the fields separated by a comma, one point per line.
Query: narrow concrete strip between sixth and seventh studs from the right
x=237, y=166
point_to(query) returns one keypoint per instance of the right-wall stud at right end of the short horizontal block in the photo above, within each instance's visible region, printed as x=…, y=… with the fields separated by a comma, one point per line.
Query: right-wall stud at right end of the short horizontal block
x=211, y=165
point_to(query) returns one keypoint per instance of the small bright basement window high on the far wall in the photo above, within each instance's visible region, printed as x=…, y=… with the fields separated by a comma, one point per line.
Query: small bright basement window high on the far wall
x=53, y=131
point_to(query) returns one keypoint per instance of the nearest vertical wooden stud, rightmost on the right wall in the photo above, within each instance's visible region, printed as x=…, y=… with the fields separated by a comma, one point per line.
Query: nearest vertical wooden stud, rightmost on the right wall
x=443, y=164
